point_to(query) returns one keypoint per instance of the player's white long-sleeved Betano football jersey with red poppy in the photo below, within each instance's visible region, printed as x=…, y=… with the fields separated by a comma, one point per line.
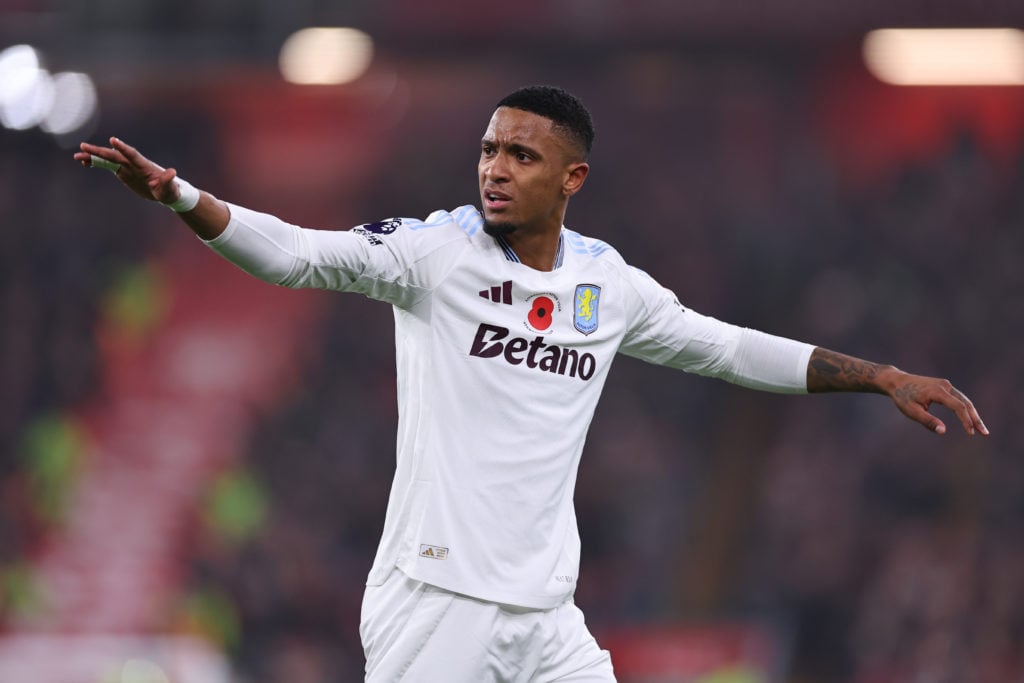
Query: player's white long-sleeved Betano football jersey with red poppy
x=500, y=368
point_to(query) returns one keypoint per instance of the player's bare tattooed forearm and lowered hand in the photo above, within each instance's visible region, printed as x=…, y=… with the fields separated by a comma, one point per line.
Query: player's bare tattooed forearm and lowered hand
x=914, y=395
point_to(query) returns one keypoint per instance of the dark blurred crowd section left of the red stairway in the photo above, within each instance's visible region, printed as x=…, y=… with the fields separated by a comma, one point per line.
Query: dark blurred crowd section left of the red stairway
x=60, y=252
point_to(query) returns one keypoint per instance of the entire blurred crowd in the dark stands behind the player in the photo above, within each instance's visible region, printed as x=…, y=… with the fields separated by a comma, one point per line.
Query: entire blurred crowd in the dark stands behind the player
x=886, y=553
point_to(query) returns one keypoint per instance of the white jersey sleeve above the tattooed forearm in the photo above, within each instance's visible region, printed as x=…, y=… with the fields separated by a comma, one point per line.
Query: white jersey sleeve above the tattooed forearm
x=664, y=332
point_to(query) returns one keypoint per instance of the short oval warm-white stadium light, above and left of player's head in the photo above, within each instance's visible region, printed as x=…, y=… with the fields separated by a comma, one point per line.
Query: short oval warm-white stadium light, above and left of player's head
x=326, y=56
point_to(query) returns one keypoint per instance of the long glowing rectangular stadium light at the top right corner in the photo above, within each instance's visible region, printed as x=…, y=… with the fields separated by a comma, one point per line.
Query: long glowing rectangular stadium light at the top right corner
x=947, y=57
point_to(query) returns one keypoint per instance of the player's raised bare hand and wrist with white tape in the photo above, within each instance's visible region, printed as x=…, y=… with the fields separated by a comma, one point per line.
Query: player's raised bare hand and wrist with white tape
x=152, y=182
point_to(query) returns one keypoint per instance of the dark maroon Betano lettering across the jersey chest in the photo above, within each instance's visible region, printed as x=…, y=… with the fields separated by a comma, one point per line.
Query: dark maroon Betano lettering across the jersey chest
x=493, y=341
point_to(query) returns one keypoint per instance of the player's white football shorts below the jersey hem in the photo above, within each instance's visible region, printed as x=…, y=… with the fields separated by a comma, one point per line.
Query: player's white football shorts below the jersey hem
x=416, y=632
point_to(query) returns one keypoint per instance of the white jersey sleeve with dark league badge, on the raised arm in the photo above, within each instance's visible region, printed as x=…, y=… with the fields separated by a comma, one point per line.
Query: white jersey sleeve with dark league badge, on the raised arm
x=383, y=261
